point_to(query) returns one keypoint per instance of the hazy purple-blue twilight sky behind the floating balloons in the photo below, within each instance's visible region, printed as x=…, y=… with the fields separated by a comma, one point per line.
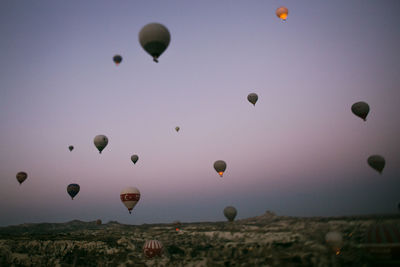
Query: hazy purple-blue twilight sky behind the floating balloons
x=298, y=152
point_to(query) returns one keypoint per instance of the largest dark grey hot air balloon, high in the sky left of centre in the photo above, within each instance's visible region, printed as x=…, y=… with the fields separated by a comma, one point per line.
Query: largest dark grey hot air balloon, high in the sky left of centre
x=154, y=38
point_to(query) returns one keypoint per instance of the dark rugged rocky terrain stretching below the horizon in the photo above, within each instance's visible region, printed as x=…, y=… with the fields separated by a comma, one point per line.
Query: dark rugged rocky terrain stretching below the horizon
x=265, y=240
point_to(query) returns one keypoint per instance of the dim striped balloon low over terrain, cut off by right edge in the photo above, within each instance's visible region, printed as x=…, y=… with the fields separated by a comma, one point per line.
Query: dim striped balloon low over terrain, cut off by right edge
x=383, y=242
